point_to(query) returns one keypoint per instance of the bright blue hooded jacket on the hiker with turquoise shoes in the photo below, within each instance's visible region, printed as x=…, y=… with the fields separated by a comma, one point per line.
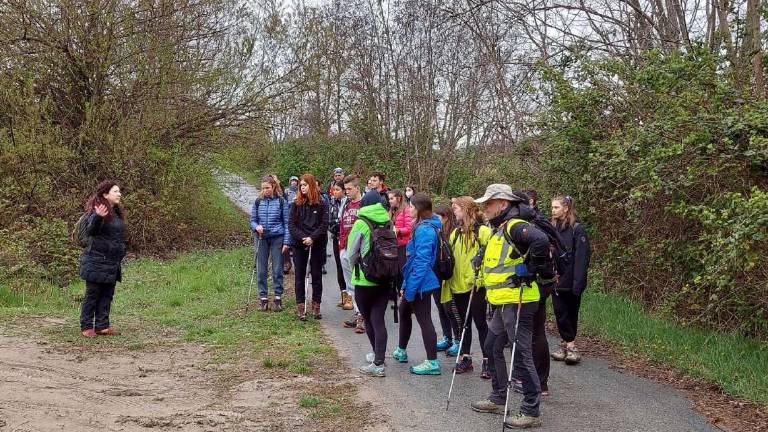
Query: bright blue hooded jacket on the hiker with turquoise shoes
x=418, y=276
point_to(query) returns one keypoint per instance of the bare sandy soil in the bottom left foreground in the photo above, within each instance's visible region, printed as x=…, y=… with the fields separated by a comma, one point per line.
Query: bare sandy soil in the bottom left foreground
x=168, y=386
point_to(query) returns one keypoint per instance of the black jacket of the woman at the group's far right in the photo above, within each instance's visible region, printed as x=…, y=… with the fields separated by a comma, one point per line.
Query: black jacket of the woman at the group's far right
x=574, y=279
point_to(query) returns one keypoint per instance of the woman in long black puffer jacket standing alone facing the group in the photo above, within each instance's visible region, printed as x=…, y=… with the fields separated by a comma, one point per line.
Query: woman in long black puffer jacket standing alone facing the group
x=100, y=260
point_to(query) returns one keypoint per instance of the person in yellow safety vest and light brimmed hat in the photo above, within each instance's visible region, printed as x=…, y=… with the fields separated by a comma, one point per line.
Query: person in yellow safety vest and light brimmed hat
x=516, y=256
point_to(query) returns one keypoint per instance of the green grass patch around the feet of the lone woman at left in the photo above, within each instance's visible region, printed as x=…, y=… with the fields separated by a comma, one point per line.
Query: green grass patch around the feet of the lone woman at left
x=198, y=297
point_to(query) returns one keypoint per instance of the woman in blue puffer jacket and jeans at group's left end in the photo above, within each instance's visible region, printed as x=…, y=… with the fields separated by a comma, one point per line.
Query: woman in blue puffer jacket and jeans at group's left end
x=269, y=224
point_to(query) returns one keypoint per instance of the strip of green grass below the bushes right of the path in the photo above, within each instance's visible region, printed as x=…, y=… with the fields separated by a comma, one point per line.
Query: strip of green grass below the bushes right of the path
x=737, y=364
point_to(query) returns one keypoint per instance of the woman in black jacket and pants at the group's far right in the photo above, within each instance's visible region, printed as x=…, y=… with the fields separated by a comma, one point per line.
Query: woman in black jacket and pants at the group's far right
x=567, y=297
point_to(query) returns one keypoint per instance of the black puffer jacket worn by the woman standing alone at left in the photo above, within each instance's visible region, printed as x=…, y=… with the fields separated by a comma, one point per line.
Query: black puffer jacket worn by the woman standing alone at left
x=100, y=261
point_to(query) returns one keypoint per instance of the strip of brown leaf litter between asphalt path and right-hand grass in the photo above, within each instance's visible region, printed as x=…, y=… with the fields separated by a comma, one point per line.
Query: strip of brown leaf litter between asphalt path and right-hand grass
x=721, y=410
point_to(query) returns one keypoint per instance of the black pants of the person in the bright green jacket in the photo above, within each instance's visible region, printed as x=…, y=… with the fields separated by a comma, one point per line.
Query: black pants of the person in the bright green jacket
x=372, y=302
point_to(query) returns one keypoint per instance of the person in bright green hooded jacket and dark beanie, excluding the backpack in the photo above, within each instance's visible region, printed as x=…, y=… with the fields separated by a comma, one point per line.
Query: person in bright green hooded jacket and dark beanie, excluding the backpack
x=370, y=297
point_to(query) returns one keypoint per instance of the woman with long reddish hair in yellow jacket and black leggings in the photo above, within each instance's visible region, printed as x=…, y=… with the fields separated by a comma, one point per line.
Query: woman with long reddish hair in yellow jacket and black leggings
x=469, y=237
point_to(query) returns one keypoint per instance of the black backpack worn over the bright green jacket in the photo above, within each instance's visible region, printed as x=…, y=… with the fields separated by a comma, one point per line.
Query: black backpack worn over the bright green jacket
x=380, y=265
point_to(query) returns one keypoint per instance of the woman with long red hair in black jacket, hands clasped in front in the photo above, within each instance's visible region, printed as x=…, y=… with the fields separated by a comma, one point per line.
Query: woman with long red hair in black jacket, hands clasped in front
x=308, y=224
